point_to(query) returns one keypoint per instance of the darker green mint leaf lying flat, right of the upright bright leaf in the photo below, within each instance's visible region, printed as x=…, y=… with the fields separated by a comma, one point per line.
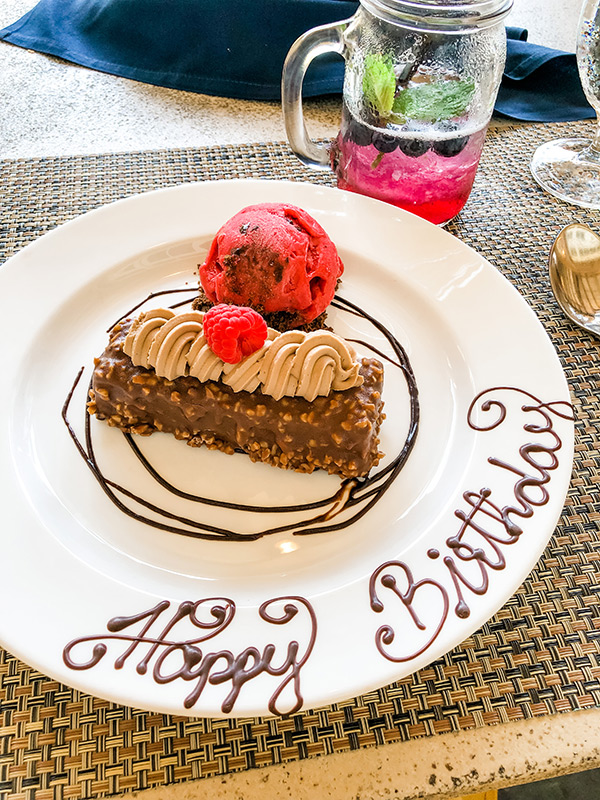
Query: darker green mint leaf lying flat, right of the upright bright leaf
x=430, y=102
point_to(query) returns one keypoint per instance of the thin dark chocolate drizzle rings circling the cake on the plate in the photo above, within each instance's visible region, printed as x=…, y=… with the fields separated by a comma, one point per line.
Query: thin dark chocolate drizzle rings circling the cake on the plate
x=358, y=495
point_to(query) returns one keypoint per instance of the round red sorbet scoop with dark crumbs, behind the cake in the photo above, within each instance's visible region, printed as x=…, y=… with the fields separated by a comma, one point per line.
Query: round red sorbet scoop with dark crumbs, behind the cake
x=273, y=257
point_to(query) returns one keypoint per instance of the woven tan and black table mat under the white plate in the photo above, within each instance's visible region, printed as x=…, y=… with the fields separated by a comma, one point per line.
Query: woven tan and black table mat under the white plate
x=539, y=655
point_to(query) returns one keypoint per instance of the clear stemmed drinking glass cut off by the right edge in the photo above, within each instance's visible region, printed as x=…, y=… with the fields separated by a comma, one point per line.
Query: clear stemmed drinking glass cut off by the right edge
x=570, y=168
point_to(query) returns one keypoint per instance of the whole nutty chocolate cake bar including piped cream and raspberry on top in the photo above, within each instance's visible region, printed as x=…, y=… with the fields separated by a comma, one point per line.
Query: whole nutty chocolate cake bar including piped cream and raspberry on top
x=296, y=400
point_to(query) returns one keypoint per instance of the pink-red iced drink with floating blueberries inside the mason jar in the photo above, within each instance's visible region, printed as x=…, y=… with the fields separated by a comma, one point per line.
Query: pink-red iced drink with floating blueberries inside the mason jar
x=429, y=171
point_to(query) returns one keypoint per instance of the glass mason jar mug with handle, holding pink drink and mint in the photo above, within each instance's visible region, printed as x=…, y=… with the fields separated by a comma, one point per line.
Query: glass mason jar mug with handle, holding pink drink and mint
x=421, y=79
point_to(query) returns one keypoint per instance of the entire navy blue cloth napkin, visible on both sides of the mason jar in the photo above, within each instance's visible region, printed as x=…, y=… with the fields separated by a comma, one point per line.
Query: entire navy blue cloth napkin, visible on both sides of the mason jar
x=236, y=48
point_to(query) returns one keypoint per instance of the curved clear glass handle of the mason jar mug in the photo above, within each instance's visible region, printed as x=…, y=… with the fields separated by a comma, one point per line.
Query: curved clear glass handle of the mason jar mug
x=316, y=42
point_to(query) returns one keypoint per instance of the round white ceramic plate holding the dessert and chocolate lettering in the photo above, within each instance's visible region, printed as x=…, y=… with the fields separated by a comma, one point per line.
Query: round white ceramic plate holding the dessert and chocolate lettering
x=449, y=542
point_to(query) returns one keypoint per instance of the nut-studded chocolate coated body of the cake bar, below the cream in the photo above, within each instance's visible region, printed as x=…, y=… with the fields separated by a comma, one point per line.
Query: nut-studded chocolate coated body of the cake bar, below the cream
x=338, y=433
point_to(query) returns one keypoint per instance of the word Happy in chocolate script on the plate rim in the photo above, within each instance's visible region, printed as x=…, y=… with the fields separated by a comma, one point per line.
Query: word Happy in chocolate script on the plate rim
x=157, y=647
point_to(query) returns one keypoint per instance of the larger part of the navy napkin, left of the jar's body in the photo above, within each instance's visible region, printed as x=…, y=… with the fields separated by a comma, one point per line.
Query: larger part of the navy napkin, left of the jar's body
x=230, y=48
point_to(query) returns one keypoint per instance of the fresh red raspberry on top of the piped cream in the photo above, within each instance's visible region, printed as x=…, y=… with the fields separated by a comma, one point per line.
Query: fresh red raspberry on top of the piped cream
x=234, y=332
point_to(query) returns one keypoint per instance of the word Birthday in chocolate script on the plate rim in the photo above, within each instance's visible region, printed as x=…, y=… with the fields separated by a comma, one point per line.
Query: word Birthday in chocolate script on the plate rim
x=486, y=528
